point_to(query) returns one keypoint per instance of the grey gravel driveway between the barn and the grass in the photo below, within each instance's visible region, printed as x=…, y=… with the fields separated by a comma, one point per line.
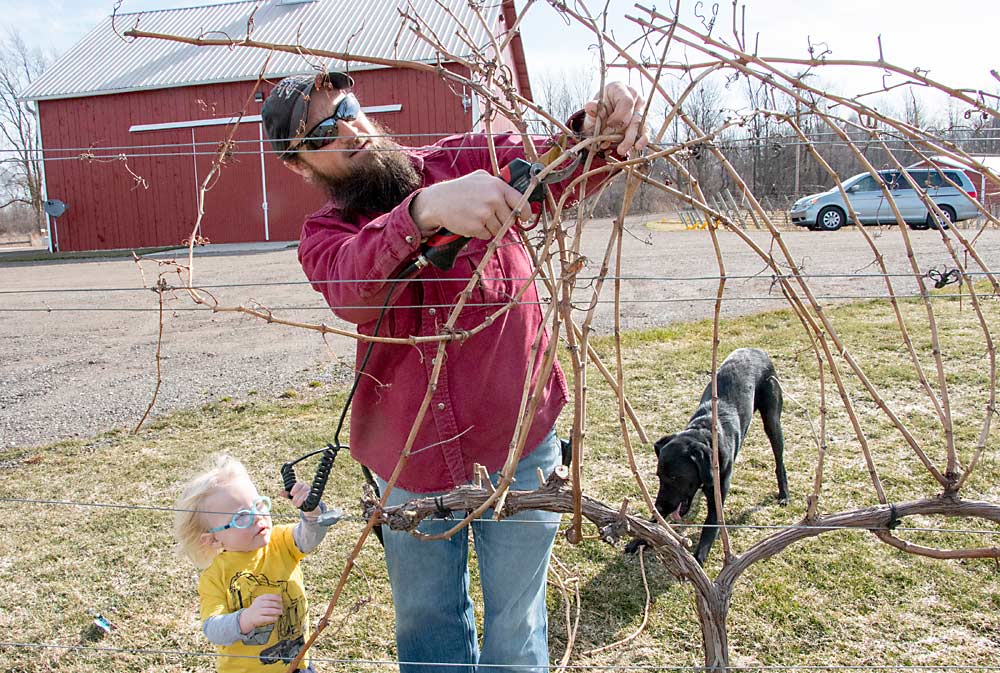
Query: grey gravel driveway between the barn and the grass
x=88, y=364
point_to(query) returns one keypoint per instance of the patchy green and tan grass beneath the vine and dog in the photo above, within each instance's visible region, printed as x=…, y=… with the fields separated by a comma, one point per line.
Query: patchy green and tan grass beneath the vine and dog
x=841, y=599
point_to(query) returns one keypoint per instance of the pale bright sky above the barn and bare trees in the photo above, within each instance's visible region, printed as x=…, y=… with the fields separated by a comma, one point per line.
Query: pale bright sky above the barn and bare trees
x=955, y=40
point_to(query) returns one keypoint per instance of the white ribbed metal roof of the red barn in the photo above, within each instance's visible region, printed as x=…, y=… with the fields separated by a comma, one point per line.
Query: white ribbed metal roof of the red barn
x=104, y=63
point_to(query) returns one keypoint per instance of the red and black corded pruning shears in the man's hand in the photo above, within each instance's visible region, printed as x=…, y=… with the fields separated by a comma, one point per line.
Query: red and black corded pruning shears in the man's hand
x=442, y=248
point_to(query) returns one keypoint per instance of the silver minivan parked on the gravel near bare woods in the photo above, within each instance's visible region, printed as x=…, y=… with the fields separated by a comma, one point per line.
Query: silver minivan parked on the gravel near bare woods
x=826, y=211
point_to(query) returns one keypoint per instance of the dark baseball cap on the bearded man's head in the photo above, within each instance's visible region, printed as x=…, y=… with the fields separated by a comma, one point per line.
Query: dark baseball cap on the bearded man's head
x=287, y=107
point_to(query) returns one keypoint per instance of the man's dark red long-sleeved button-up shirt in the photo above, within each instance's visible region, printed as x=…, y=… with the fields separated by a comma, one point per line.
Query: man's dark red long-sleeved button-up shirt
x=474, y=409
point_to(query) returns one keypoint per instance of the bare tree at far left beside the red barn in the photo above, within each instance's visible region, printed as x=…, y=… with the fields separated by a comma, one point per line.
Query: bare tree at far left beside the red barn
x=20, y=160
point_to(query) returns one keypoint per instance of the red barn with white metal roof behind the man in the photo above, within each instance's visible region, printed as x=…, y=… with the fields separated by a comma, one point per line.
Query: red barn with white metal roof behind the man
x=130, y=128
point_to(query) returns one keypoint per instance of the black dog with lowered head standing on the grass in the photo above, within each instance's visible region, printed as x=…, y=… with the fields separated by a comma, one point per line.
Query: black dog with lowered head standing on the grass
x=746, y=383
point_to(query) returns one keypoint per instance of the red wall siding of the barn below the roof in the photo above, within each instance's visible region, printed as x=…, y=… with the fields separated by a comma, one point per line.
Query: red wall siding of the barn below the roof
x=109, y=209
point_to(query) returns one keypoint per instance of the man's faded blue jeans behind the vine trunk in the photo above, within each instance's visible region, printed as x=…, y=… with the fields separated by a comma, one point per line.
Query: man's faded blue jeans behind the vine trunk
x=435, y=621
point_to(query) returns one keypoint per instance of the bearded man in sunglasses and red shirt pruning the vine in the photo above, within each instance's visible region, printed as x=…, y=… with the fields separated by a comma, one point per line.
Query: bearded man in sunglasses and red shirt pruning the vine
x=385, y=202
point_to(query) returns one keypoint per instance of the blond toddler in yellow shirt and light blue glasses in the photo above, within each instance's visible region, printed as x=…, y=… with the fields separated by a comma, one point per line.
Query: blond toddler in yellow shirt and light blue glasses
x=253, y=602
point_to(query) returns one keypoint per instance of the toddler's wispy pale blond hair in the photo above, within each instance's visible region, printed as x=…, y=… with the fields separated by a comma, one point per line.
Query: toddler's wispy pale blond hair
x=189, y=521
